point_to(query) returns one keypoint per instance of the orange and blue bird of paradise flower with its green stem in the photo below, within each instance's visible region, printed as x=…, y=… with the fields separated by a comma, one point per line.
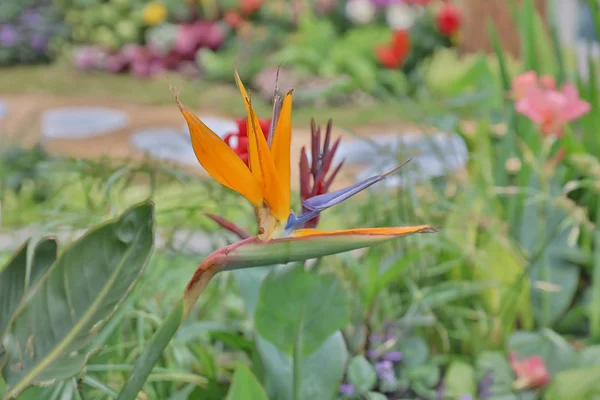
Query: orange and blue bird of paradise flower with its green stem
x=265, y=183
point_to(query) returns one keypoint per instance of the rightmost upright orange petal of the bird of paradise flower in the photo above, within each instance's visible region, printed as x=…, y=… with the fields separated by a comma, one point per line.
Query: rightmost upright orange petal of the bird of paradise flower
x=280, y=149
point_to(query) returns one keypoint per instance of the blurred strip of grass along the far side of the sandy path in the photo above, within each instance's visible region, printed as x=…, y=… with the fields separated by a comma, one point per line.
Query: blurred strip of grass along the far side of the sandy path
x=61, y=79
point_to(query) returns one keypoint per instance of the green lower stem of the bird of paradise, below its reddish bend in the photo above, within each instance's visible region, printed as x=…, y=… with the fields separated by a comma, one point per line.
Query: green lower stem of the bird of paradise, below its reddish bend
x=152, y=353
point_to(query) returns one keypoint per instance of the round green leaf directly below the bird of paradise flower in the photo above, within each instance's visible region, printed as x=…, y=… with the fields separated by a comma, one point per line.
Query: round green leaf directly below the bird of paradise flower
x=294, y=303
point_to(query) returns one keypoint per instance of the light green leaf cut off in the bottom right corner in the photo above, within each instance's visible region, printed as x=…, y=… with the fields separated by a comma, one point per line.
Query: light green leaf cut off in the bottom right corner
x=575, y=384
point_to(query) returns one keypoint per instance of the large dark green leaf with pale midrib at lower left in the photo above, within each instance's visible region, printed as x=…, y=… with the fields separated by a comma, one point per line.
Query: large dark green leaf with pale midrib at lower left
x=83, y=289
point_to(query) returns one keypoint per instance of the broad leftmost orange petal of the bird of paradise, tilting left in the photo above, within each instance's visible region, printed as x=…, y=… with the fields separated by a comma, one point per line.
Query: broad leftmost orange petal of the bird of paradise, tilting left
x=220, y=161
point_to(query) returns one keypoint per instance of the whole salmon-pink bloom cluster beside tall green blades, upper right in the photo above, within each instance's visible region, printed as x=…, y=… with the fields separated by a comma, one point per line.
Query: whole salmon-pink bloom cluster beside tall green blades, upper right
x=540, y=100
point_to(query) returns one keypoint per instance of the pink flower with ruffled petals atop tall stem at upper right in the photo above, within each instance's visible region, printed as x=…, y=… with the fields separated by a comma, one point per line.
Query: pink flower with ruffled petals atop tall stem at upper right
x=552, y=108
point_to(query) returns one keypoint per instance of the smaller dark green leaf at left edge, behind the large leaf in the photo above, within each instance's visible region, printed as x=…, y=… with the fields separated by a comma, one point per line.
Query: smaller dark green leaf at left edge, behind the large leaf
x=19, y=275
